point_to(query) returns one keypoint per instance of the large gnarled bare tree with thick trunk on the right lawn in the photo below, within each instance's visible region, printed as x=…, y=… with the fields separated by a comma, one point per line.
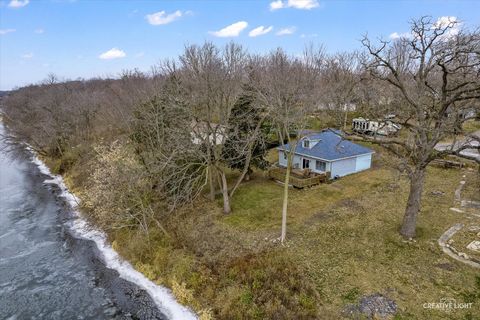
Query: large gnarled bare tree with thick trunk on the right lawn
x=435, y=73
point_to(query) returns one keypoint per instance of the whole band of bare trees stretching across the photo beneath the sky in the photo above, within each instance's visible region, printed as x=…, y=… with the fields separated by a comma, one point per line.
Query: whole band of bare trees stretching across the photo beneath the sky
x=157, y=141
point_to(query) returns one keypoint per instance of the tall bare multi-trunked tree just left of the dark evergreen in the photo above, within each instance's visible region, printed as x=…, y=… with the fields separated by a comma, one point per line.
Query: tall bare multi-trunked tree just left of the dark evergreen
x=210, y=81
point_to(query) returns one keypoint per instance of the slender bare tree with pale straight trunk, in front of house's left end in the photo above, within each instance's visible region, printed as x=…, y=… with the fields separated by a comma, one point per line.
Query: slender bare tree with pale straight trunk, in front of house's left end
x=285, y=86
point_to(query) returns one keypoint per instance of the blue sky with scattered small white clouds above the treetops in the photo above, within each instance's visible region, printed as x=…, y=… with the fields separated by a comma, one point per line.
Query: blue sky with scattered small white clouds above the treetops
x=87, y=38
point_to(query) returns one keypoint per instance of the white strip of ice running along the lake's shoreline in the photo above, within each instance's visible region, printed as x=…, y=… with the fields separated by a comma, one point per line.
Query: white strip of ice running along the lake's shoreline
x=80, y=227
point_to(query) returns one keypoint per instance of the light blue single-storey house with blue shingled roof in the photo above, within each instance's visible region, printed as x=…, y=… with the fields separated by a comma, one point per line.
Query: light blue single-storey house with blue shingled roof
x=327, y=151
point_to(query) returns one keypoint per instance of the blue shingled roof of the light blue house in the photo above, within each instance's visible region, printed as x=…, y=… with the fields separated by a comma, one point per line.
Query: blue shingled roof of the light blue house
x=330, y=147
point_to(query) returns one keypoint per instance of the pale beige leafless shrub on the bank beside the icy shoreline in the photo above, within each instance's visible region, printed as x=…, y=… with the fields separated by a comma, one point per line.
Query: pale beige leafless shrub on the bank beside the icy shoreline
x=119, y=193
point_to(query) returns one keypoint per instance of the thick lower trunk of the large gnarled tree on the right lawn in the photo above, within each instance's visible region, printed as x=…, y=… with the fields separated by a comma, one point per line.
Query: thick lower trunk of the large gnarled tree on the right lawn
x=417, y=180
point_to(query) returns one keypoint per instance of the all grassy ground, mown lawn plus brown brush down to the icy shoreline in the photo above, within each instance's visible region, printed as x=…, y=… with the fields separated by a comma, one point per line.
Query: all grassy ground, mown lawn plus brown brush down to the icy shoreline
x=343, y=243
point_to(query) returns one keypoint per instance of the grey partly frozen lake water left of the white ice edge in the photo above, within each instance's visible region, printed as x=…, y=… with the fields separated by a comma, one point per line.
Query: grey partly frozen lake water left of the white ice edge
x=46, y=272
